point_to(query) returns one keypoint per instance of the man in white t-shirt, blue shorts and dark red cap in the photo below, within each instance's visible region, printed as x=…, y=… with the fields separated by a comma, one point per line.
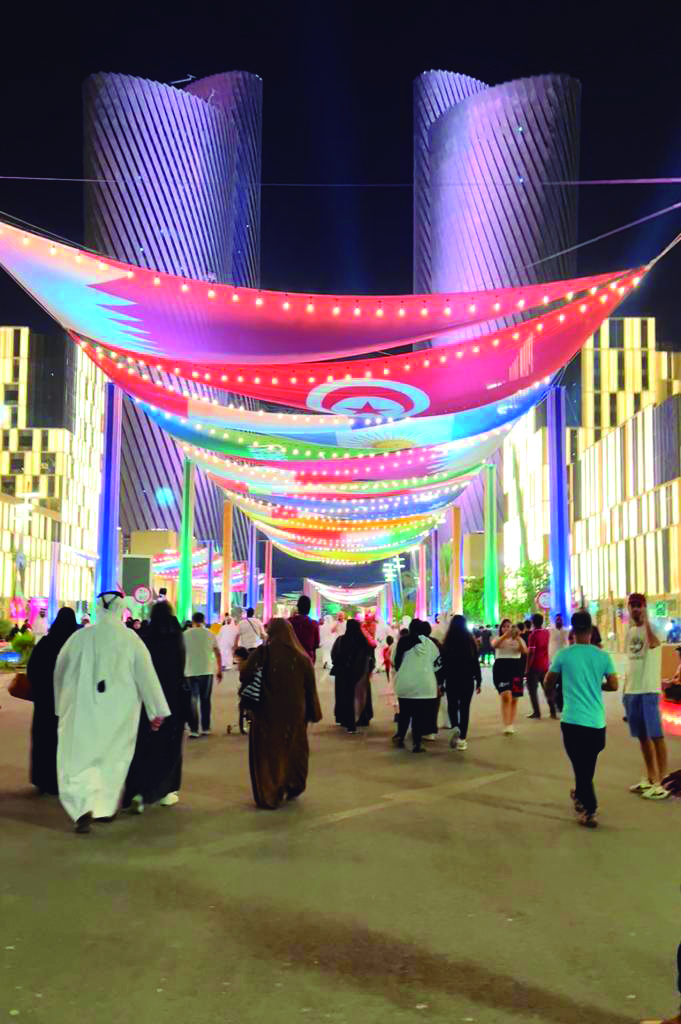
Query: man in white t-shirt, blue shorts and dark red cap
x=643, y=691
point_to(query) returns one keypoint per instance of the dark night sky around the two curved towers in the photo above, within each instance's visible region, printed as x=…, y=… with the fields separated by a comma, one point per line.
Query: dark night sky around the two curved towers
x=338, y=110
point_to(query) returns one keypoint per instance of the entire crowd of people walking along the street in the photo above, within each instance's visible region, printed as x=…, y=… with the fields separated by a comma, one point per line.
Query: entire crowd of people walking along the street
x=113, y=703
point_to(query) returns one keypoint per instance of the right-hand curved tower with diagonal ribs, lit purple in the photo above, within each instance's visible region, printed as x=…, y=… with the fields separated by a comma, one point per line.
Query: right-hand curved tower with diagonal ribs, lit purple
x=491, y=205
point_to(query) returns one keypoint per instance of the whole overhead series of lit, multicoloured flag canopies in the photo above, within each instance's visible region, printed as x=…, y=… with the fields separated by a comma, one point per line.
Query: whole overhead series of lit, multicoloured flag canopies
x=379, y=445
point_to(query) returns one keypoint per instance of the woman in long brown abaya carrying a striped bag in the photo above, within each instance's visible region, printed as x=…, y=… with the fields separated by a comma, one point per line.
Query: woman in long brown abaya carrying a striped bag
x=279, y=752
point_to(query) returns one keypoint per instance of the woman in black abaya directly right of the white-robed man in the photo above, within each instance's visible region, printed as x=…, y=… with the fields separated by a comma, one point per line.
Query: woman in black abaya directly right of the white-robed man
x=156, y=770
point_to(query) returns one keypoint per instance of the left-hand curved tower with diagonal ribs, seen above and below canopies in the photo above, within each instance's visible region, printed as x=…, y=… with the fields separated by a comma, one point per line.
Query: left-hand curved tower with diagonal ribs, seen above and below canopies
x=176, y=187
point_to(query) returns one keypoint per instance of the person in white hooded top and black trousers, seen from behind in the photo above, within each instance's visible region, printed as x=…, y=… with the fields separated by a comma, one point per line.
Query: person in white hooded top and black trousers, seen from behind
x=417, y=662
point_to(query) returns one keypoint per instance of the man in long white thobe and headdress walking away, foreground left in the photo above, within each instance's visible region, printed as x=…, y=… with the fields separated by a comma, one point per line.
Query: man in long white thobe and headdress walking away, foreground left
x=102, y=678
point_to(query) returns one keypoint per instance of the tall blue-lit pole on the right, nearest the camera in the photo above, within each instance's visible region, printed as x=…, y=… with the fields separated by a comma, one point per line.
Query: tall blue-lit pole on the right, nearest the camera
x=562, y=594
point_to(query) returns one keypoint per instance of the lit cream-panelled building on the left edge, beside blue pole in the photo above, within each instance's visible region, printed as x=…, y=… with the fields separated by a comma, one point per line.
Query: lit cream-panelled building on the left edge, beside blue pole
x=52, y=409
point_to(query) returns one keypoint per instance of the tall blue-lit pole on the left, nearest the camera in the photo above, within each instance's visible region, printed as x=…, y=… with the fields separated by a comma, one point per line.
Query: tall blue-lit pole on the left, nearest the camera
x=110, y=499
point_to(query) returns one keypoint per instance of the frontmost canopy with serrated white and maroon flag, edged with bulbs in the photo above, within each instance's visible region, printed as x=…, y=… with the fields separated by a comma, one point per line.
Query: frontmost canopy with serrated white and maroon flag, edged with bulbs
x=159, y=316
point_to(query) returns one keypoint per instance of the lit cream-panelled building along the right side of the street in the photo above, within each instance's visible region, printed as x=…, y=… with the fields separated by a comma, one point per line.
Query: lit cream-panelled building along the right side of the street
x=624, y=468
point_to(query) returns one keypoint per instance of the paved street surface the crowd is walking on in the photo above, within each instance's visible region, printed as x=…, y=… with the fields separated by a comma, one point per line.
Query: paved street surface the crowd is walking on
x=453, y=887
